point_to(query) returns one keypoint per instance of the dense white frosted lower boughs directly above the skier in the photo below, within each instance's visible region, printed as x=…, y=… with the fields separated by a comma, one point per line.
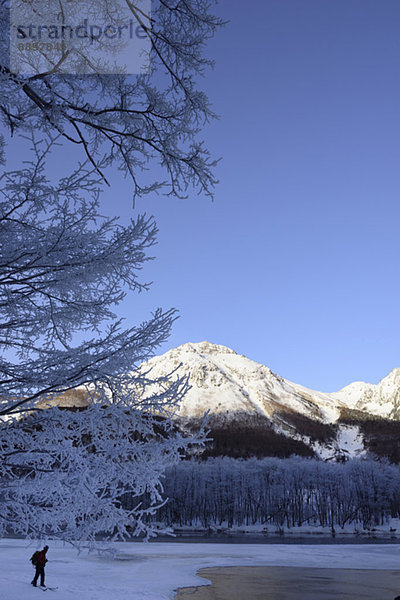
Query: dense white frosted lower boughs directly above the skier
x=64, y=473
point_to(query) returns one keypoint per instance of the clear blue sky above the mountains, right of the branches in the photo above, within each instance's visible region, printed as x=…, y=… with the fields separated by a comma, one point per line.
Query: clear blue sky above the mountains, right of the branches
x=296, y=263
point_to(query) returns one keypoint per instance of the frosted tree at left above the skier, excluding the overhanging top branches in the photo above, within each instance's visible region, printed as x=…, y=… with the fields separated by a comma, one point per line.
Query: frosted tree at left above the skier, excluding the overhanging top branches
x=63, y=267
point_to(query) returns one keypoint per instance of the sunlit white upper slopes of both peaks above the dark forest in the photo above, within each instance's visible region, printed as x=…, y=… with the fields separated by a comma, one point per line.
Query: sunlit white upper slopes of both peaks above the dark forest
x=225, y=382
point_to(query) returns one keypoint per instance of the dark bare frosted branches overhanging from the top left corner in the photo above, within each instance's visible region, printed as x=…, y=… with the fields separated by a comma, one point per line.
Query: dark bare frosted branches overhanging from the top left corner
x=153, y=117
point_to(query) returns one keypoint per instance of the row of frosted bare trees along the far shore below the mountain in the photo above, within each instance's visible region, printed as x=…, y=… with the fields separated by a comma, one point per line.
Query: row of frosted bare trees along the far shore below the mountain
x=281, y=493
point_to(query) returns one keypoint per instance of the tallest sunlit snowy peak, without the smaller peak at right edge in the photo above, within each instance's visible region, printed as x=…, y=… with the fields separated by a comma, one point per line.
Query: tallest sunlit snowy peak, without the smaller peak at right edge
x=227, y=384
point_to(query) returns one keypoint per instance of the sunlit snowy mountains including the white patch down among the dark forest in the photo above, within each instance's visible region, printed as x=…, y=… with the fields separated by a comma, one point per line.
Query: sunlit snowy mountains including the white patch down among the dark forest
x=236, y=390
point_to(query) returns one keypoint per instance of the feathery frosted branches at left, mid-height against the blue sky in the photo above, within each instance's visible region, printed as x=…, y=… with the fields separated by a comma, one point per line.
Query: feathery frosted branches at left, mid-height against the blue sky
x=63, y=268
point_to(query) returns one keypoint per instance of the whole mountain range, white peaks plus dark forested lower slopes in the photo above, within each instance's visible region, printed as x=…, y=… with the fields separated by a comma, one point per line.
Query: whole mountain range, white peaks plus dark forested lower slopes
x=255, y=412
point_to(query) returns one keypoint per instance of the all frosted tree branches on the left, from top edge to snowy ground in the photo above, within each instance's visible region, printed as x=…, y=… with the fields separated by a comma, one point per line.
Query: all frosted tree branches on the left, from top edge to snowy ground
x=64, y=267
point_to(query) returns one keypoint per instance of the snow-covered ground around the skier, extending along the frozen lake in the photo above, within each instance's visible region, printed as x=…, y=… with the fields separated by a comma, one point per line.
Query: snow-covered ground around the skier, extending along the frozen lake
x=155, y=571
